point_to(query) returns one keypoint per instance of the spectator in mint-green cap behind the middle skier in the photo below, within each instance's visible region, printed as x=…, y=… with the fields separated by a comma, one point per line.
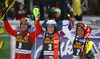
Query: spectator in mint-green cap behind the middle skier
x=56, y=13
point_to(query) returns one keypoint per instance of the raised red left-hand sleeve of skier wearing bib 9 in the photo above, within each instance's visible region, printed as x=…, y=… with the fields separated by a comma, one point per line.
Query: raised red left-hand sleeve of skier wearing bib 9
x=9, y=29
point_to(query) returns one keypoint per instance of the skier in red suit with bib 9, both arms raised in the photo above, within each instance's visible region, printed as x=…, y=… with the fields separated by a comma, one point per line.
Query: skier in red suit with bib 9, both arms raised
x=24, y=38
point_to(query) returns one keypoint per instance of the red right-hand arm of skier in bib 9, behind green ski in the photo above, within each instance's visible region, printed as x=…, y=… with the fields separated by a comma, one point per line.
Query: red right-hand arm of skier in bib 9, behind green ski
x=38, y=31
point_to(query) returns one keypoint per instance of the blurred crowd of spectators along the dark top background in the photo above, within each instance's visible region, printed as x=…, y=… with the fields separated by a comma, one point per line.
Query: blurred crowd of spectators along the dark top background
x=62, y=10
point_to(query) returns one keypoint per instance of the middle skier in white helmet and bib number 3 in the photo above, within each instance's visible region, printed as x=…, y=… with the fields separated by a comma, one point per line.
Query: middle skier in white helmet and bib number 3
x=48, y=42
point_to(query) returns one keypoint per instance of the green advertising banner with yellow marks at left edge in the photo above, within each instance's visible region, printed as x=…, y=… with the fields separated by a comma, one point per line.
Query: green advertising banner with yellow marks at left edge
x=4, y=44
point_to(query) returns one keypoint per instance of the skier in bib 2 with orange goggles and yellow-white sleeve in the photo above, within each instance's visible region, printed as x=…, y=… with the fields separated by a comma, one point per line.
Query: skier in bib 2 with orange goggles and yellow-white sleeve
x=77, y=44
